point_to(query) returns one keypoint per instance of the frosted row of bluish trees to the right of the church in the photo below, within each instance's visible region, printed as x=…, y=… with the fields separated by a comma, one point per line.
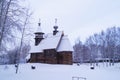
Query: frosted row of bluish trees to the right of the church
x=103, y=46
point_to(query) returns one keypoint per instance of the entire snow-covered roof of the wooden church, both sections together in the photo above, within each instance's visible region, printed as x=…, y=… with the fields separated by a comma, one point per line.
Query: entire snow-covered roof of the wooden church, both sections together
x=58, y=42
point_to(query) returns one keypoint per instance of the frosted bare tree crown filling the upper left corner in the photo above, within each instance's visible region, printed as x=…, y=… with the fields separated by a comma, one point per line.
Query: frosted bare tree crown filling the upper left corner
x=10, y=21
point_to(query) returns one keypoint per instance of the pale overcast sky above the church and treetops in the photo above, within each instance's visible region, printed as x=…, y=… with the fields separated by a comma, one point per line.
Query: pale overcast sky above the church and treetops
x=77, y=18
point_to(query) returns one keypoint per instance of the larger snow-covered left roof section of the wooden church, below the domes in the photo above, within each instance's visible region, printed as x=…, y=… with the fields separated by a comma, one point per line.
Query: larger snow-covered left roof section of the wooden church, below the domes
x=49, y=42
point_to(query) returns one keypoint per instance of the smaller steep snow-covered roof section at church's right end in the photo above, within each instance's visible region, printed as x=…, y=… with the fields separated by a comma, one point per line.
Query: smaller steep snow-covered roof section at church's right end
x=65, y=45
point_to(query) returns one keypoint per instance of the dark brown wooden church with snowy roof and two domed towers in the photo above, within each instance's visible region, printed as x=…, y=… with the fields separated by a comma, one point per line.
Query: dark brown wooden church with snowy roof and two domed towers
x=51, y=48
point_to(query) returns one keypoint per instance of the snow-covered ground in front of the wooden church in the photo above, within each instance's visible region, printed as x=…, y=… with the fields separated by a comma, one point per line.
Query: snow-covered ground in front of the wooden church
x=59, y=72
